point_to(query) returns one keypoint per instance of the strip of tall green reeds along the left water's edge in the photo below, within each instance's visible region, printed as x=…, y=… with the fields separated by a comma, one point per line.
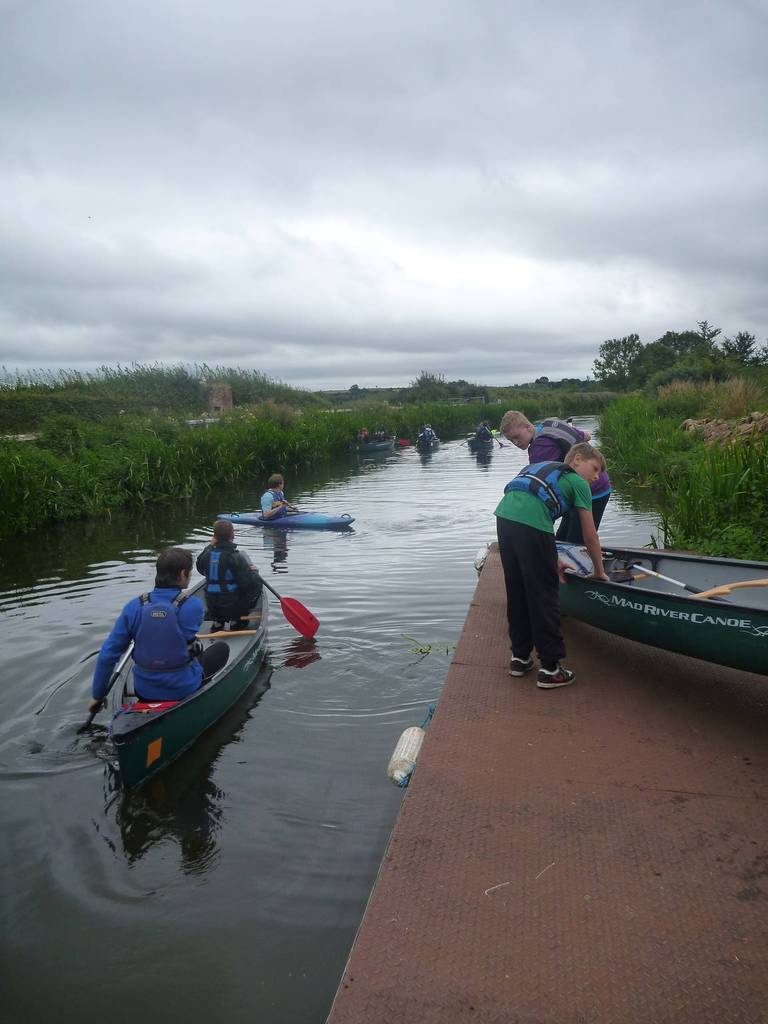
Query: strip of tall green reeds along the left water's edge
x=76, y=468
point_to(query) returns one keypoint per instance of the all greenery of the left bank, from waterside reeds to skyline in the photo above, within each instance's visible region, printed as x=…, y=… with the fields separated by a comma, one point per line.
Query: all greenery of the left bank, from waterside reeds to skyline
x=82, y=466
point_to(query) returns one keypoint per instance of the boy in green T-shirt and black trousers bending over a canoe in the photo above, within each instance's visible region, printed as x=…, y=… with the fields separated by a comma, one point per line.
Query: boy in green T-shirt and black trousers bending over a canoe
x=533, y=501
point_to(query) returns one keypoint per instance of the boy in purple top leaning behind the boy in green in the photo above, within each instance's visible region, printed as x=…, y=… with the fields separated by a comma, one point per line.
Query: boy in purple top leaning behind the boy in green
x=550, y=442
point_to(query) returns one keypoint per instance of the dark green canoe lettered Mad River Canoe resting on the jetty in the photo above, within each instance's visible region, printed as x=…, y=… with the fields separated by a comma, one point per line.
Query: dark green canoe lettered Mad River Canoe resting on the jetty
x=730, y=628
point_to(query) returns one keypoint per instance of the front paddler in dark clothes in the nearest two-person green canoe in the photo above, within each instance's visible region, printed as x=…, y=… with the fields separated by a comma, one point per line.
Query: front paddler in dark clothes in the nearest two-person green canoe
x=233, y=585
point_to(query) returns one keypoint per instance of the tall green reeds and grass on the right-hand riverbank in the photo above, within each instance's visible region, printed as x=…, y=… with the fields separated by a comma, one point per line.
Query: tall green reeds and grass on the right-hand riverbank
x=714, y=500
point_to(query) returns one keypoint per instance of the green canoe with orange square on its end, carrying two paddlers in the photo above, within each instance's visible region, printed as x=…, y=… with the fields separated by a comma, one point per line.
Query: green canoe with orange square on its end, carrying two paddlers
x=149, y=737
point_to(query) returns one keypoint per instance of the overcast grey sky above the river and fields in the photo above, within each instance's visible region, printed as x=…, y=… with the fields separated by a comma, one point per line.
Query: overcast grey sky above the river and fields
x=340, y=193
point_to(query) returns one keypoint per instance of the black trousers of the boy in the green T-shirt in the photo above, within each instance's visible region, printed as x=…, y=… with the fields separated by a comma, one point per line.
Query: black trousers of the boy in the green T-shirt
x=530, y=562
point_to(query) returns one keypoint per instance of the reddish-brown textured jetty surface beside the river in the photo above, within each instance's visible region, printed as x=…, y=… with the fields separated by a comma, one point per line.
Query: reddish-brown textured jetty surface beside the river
x=592, y=855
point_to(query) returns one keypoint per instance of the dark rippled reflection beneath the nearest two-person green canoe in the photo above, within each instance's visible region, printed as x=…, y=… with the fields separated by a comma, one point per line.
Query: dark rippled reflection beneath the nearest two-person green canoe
x=183, y=804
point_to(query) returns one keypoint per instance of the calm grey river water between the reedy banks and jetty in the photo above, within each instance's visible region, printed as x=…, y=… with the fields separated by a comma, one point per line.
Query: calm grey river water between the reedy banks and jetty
x=232, y=888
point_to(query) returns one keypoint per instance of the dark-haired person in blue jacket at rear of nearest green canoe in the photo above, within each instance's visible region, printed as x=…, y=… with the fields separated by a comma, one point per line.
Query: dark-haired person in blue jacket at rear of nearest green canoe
x=162, y=625
